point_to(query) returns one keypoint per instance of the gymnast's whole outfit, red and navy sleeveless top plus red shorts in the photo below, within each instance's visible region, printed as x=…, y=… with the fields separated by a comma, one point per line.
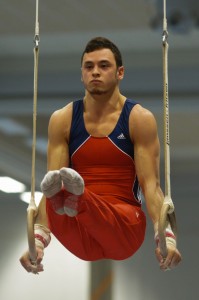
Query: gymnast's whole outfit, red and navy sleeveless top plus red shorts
x=110, y=222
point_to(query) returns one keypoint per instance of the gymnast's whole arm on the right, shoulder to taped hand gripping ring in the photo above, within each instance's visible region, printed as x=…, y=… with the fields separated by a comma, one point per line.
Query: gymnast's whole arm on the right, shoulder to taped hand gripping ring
x=143, y=131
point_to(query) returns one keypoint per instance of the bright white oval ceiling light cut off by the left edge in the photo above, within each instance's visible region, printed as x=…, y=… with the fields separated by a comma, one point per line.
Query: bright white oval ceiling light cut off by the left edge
x=9, y=185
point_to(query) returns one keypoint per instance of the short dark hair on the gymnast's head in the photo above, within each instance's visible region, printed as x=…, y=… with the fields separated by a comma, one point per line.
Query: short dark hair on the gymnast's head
x=99, y=43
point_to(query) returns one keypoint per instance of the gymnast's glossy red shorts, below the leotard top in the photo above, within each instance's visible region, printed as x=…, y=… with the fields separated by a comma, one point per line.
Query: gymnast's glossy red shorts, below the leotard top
x=104, y=228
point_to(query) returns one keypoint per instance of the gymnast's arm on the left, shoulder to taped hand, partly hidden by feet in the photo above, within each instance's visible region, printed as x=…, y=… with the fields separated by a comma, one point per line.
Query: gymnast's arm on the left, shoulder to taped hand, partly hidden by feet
x=58, y=132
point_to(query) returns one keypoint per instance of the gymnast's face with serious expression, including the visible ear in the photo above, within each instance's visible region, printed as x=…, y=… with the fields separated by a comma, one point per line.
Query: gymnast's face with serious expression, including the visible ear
x=100, y=74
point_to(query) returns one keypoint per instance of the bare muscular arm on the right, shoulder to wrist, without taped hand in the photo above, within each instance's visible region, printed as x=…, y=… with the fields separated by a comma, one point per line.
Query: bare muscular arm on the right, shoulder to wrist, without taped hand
x=146, y=154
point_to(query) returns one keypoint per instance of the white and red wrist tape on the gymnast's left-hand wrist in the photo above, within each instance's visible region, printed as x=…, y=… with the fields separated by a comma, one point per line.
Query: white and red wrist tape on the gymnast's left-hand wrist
x=42, y=236
